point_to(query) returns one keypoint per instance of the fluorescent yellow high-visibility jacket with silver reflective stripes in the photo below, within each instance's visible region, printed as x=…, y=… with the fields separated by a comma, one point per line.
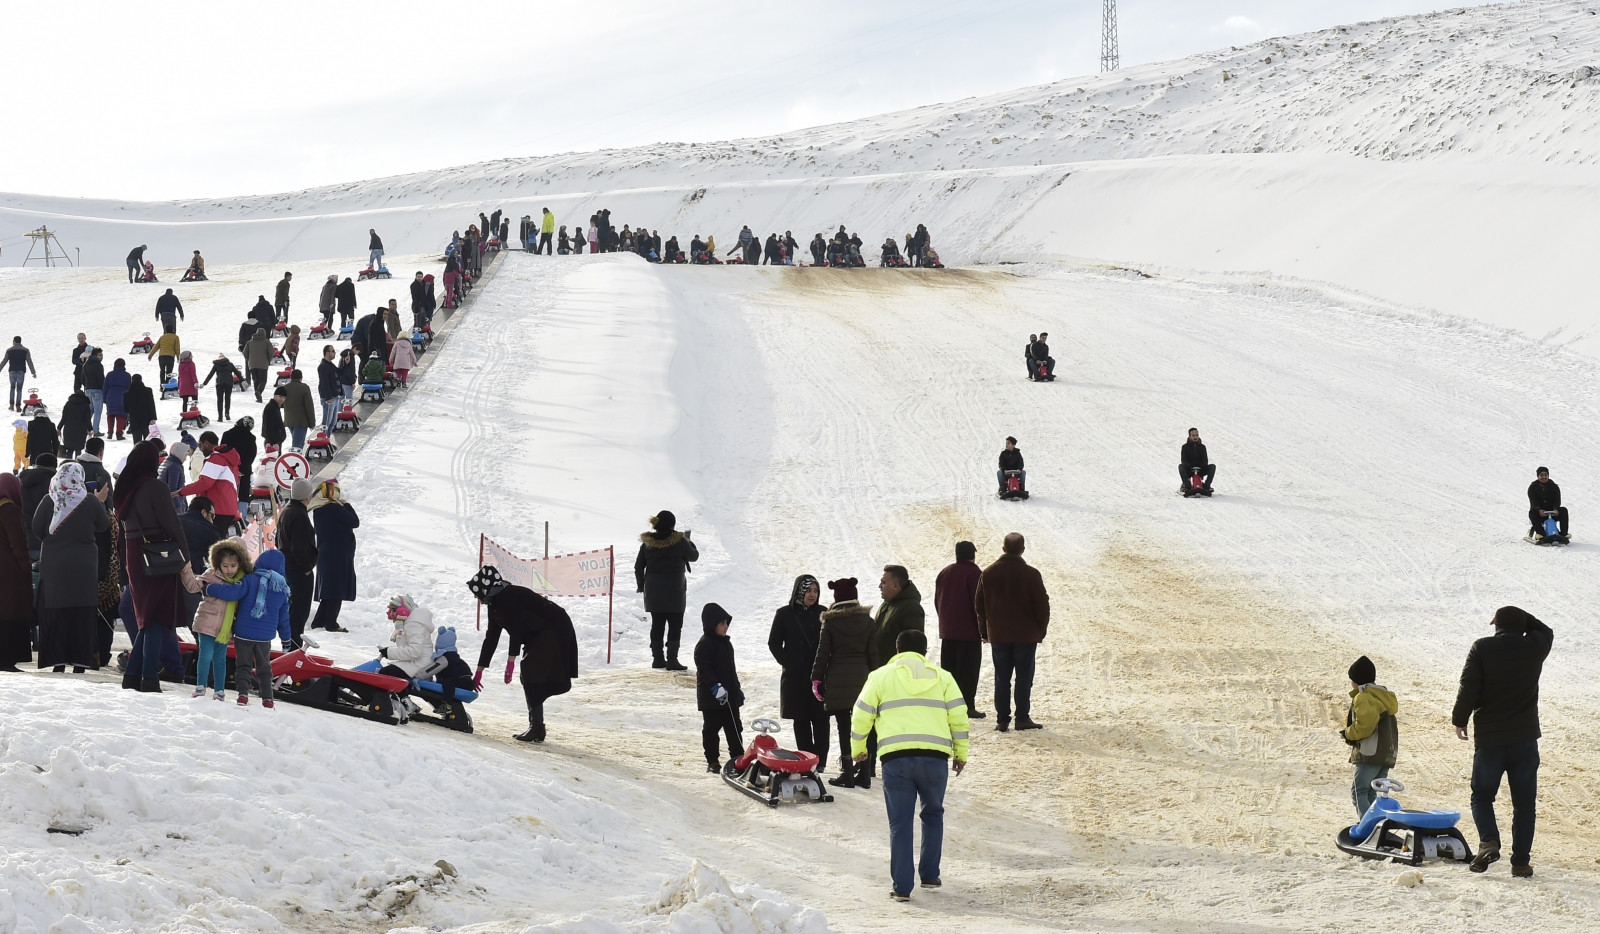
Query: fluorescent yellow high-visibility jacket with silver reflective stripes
x=914, y=704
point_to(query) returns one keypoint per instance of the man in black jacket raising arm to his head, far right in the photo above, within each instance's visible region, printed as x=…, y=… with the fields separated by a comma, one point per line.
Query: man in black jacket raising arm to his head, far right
x=1500, y=693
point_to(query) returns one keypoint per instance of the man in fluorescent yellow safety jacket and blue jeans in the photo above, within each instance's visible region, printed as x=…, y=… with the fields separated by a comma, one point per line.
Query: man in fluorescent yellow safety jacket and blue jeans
x=921, y=717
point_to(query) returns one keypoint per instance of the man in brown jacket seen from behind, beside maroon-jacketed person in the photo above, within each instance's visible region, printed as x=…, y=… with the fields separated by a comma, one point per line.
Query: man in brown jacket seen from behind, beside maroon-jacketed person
x=1014, y=615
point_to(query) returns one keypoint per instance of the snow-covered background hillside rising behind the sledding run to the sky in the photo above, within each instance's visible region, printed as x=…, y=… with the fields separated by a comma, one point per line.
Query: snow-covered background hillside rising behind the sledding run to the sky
x=1412, y=159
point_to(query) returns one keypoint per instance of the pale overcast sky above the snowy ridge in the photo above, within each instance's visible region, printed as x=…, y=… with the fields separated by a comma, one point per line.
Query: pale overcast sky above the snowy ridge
x=220, y=98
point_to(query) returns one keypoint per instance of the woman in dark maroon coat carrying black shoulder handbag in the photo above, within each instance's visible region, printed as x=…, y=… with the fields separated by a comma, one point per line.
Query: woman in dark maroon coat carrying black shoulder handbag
x=145, y=508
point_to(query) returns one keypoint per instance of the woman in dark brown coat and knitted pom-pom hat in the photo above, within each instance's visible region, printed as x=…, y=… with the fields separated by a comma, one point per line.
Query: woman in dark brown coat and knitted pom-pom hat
x=847, y=652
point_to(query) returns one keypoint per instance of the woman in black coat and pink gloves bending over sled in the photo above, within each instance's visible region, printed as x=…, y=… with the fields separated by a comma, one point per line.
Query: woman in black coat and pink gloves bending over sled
x=537, y=628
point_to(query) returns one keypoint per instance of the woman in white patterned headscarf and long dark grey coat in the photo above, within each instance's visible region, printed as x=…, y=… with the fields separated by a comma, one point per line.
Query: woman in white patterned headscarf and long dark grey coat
x=66, y=525
